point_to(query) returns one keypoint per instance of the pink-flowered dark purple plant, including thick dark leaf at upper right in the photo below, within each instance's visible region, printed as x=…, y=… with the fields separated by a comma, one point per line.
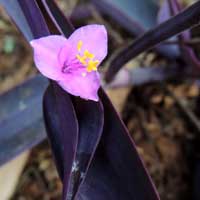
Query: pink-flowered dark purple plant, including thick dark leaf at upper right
x=93, y=152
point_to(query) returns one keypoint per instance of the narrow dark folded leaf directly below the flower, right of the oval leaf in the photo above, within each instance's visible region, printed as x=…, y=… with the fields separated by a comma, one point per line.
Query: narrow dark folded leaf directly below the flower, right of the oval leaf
x=90, y=118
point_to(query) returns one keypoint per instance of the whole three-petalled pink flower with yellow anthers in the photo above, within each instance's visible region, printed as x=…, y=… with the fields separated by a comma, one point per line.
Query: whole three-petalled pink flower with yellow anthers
x=73, y=62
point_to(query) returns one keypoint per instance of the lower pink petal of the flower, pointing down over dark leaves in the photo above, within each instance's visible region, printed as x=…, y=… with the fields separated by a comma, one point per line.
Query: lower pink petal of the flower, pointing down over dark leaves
x=84, y=86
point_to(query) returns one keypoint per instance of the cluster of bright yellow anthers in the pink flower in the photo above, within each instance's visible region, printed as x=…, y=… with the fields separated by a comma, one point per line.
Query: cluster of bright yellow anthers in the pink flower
x=87, y=59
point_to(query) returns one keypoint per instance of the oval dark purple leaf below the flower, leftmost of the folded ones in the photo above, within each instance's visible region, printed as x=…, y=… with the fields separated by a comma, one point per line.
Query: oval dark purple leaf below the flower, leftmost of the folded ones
x=62, y=128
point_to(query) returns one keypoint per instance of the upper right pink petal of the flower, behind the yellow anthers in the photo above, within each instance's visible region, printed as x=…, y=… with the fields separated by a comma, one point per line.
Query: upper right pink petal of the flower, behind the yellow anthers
x=93, y=38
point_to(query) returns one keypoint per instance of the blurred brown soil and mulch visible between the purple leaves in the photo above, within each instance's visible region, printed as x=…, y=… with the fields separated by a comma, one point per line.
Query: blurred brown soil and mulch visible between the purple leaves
x=160, y=117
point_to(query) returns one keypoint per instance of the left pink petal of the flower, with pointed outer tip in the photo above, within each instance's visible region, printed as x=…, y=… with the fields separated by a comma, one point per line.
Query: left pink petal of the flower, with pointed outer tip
x=46, y=55
